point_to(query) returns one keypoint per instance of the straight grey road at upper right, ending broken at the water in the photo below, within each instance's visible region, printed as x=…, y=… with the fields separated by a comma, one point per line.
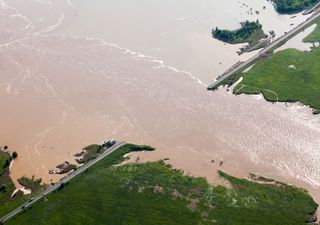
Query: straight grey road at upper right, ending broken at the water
x=243, y=65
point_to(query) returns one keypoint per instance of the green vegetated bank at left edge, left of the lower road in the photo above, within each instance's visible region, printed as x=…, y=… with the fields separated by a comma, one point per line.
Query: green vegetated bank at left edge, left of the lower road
x=8, y=202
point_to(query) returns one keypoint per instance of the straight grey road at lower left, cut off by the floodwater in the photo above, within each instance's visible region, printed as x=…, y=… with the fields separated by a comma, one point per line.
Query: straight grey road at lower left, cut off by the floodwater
x=51, y=188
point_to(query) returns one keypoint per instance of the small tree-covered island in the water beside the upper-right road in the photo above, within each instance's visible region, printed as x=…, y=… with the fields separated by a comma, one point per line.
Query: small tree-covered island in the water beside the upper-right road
x=250, y=32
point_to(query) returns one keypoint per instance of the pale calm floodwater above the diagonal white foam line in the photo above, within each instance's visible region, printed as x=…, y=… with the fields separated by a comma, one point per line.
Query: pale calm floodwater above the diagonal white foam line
x=177, y=32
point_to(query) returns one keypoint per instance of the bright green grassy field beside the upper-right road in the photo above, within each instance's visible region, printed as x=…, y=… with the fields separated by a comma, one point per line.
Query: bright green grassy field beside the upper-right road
x=288, y=76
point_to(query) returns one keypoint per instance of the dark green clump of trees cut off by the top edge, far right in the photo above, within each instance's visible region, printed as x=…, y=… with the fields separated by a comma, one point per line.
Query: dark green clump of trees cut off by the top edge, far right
x=294, y=6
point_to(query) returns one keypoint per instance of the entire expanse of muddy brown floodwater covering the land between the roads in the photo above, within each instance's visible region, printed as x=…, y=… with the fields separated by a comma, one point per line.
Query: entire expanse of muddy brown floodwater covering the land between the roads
x=78, y=72
